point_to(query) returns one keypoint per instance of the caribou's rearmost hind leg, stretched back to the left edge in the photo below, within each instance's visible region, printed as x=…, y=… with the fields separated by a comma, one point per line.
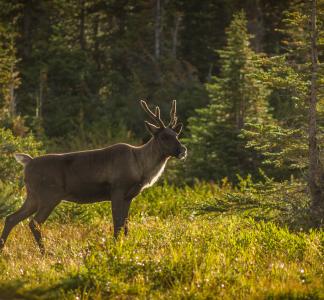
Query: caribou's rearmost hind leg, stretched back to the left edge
x=28, y=208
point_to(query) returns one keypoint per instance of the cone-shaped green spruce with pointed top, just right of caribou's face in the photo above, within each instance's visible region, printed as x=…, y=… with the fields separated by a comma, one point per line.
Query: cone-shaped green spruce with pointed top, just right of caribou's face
x=237, y=97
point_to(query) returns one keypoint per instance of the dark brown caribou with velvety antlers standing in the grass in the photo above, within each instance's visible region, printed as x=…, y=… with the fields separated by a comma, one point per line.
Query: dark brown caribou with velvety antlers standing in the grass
x=117, y=173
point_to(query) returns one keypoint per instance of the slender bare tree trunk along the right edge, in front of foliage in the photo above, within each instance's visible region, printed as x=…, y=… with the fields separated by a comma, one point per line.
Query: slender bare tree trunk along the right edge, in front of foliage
x=315, y=170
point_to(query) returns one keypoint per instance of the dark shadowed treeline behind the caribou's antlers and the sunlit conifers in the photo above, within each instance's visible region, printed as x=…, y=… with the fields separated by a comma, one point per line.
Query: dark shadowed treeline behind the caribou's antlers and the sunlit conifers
x=84, y=62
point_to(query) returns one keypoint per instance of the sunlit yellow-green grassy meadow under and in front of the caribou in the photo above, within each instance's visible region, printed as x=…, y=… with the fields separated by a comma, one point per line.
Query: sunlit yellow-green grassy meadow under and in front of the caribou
x=172, y=252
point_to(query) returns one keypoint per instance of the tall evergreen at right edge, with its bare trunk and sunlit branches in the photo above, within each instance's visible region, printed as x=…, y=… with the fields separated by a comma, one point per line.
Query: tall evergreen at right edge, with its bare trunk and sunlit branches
x=294, y=77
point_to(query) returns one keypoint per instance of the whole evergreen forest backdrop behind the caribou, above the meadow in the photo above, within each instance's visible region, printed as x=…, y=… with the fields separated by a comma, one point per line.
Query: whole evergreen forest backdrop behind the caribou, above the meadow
x=72, y=74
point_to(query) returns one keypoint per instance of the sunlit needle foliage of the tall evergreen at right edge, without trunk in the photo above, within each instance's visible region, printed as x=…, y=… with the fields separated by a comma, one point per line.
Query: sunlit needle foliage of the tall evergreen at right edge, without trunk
x=285, y=144
